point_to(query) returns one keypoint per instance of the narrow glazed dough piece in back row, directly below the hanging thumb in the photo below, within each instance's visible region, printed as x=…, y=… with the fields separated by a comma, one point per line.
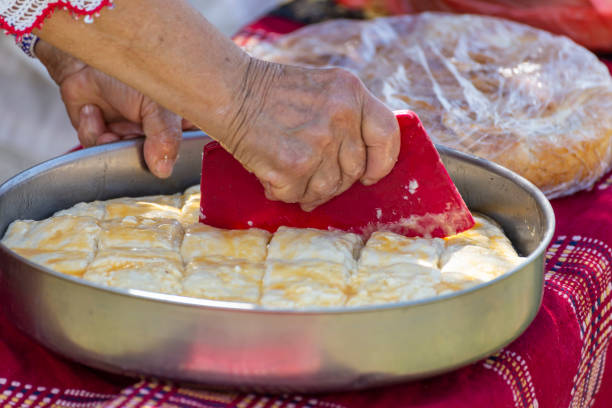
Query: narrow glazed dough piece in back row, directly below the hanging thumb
x=159, y=206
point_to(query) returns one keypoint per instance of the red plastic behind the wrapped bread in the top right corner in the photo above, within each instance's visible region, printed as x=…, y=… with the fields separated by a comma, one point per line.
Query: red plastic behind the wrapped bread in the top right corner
x=588, y=22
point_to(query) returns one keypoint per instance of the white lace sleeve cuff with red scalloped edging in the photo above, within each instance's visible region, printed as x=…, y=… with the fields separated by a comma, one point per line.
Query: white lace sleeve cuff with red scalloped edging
x=21, y=16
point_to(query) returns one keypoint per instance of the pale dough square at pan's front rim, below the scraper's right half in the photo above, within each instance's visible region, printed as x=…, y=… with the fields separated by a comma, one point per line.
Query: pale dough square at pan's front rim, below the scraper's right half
x=393, y=283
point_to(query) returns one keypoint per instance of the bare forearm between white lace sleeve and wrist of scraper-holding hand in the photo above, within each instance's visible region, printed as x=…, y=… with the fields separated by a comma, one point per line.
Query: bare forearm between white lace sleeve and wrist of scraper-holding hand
x=172, y=54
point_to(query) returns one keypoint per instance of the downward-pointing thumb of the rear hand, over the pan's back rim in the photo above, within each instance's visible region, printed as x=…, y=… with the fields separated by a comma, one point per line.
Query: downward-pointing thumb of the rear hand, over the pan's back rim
x=163, y=132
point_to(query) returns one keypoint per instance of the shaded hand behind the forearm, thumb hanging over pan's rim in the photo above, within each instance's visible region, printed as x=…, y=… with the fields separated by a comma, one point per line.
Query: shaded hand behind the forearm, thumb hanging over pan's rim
x=103, y=110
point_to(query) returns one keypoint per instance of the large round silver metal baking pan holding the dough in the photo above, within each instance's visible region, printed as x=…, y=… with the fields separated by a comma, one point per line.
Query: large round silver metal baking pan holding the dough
x=234, y=345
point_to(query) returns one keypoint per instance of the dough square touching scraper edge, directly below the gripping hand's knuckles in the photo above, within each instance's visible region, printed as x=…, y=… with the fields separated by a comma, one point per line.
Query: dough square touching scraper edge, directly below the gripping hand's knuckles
x=302, y=244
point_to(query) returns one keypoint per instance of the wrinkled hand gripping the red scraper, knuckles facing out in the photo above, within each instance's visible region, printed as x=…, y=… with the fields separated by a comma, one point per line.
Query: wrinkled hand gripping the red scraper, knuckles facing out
x=309, y=134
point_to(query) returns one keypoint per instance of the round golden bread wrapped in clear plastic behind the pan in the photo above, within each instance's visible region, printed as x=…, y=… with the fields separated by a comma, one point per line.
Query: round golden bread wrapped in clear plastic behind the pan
x=534, y=102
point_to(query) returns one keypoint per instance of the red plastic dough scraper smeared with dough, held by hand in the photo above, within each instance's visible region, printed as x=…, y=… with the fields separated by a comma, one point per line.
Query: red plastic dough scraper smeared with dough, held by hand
x=417, y=198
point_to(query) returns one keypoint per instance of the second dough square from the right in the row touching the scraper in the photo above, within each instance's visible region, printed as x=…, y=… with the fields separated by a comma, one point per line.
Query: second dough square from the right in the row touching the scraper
x=387, y=248
